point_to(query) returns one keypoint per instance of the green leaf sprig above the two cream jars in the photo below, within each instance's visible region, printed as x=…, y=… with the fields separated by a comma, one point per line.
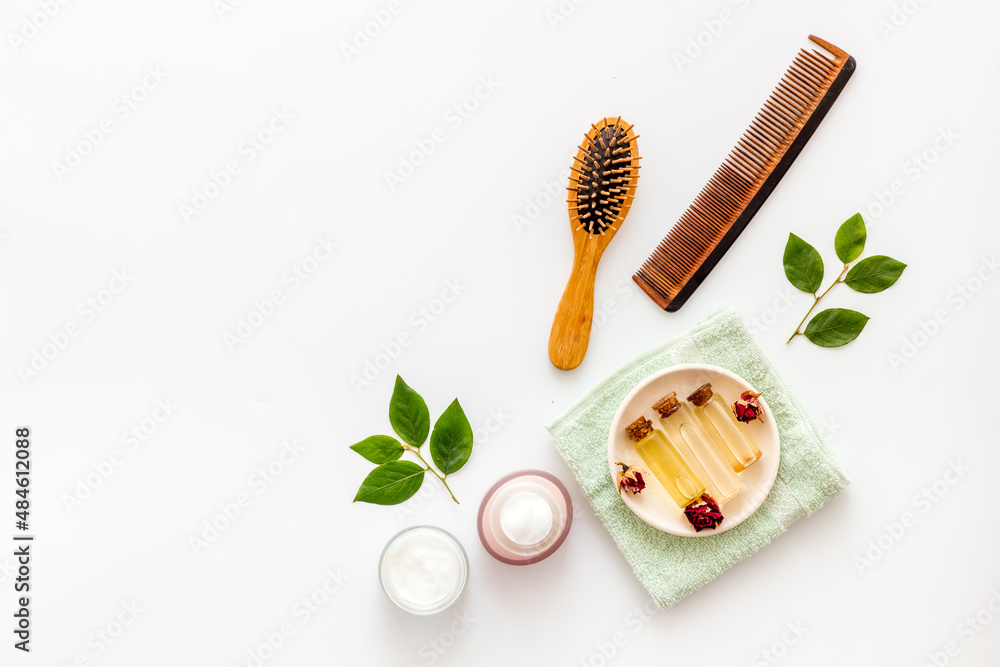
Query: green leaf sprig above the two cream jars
x=394, y=481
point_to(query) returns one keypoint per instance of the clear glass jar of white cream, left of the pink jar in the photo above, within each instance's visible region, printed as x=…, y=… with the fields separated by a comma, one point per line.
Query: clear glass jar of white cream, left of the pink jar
x=423, y=569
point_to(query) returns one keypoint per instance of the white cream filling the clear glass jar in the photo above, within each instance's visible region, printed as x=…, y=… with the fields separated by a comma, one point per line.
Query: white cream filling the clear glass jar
x=424, y=568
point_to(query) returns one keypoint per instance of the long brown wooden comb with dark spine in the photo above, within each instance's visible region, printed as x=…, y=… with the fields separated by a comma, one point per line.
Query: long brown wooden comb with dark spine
x=736, y=192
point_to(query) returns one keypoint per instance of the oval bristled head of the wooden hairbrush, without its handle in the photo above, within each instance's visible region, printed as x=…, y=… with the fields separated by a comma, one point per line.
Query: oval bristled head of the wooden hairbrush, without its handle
x=604, y=173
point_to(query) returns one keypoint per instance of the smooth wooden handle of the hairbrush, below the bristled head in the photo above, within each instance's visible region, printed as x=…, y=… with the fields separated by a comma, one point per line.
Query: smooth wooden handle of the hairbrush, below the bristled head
x=571, y=326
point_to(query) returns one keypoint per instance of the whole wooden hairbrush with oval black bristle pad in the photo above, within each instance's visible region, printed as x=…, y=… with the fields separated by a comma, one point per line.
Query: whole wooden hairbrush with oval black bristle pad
x=601, y=187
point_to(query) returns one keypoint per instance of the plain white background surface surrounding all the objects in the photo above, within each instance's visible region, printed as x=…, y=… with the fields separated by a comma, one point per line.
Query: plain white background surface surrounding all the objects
x=925, y=71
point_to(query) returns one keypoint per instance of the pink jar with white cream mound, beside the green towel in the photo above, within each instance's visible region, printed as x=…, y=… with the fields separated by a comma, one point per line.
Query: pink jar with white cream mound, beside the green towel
x=525, y=517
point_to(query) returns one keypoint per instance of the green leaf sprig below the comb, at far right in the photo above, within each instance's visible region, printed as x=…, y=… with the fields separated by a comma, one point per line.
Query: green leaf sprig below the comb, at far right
x=804, y=268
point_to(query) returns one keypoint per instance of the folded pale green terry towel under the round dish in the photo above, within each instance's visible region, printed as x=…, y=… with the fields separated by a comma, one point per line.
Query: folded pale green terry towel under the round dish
x=669, y=566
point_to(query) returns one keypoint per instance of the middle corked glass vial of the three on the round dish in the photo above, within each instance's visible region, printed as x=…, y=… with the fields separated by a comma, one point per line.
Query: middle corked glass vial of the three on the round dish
x=684, y=431
